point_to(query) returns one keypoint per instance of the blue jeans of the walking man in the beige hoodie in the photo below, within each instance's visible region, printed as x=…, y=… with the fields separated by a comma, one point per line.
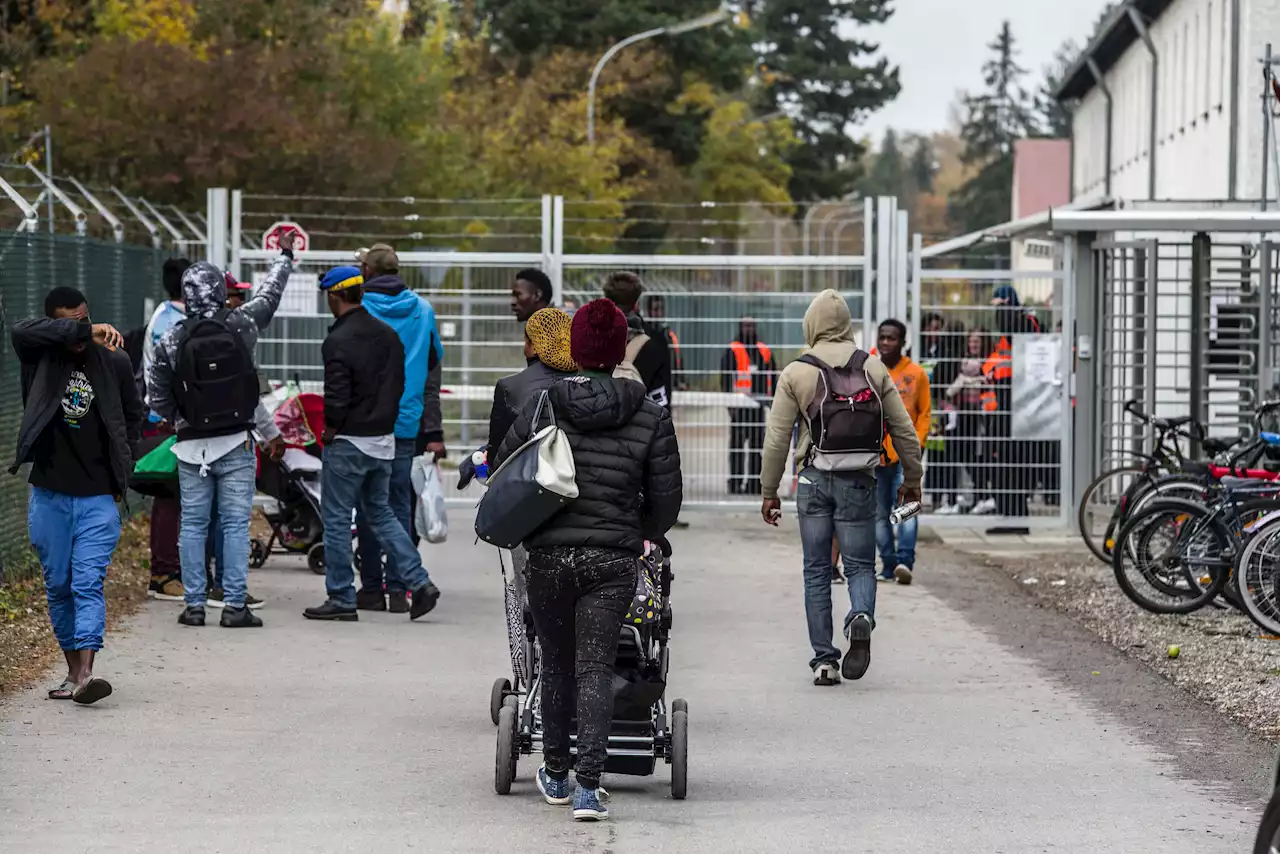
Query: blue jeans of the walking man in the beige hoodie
x=839, y=505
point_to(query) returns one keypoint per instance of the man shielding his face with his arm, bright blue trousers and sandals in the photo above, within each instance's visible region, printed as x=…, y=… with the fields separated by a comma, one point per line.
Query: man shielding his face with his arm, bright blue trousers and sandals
x=80, y=433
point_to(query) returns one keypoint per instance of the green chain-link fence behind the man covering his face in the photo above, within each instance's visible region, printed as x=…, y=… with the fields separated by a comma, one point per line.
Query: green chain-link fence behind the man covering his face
x=121, y=282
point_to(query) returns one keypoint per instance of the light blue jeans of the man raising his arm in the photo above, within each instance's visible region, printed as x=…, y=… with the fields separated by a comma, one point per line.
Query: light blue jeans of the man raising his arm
x=230, y=482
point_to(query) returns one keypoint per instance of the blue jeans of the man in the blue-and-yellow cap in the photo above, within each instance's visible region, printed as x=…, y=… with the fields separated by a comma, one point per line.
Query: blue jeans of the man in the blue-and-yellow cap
x=354, y=479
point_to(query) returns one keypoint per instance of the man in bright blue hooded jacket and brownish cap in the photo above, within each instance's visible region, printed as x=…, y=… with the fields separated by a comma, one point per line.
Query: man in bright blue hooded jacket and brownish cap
x=419, y=428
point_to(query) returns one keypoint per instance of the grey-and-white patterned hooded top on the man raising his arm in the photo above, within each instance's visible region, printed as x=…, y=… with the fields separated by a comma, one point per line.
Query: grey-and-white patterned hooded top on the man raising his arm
x=204, y=290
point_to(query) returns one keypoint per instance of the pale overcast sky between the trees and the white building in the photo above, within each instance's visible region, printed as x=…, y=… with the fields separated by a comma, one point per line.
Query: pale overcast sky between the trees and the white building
x=940, y=47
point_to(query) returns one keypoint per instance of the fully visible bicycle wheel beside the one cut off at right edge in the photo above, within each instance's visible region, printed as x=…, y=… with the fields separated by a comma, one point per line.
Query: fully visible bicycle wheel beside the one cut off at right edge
x=1173, y=558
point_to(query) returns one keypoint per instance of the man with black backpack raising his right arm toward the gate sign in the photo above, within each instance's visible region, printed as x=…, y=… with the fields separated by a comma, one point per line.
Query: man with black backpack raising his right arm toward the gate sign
x=204, y=382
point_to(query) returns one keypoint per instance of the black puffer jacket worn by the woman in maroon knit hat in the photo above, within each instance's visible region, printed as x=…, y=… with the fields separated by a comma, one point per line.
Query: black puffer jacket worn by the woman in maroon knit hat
x=627, y=458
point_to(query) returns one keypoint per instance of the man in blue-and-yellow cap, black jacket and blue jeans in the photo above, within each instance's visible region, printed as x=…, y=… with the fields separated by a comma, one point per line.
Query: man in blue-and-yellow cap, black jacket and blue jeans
x=364, y=381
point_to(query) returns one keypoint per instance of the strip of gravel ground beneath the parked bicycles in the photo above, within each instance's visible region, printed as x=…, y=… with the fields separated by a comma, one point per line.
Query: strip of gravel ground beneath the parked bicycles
x=1222, y=659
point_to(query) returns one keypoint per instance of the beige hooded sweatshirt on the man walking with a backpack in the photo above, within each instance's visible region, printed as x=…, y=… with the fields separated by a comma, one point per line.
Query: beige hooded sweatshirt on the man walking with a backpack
x=829, y=332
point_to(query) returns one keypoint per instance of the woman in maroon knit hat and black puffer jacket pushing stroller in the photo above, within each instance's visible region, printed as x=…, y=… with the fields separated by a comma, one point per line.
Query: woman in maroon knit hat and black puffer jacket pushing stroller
x=582, y=569
